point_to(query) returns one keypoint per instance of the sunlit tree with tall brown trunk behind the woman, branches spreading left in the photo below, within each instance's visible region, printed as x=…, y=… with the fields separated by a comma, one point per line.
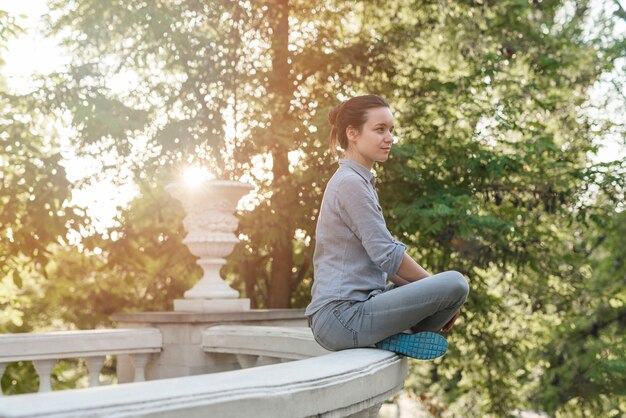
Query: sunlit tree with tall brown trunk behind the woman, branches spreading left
x=274, y=66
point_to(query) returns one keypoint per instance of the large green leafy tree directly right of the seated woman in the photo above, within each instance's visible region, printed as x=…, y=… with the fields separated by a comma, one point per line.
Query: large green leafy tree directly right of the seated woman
x=491, y=179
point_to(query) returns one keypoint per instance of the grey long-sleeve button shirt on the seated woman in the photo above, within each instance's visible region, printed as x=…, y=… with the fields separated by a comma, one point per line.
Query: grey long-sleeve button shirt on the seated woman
x=354, y=250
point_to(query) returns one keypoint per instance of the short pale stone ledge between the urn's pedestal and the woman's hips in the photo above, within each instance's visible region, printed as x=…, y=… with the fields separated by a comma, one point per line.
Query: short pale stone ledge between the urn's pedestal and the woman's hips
x=279, y=342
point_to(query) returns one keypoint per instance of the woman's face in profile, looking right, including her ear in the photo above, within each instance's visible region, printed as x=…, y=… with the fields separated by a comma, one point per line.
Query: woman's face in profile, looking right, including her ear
x=374, y=141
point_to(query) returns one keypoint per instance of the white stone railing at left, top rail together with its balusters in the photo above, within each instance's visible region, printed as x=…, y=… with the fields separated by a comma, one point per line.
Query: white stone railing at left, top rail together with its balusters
x=44, y=349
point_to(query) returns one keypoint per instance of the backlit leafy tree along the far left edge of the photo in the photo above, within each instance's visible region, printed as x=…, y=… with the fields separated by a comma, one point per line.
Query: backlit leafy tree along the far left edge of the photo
x=35, y=215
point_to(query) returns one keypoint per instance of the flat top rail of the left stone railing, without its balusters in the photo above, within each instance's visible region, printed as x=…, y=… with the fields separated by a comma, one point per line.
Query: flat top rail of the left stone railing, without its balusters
x=70, y=344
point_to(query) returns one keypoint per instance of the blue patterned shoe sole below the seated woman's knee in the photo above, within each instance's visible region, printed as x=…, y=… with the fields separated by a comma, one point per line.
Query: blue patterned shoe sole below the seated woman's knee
x=421, y=345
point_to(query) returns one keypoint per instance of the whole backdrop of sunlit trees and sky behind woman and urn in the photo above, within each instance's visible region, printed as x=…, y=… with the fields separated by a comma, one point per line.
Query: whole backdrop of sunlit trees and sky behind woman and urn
x=508, y=167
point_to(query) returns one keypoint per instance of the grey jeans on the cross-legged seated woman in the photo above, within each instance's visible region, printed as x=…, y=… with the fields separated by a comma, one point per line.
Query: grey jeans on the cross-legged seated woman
x=425, y=305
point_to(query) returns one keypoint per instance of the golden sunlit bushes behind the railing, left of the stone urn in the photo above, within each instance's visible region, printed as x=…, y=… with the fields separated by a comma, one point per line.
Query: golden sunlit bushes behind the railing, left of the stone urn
x=141, y=265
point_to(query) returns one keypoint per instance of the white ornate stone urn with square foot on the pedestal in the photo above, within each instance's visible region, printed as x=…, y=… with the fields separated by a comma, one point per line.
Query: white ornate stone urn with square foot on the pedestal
x=210, y=224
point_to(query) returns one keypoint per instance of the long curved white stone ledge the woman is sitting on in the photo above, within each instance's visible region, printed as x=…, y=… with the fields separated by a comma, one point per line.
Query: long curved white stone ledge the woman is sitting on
x=334, y=385
